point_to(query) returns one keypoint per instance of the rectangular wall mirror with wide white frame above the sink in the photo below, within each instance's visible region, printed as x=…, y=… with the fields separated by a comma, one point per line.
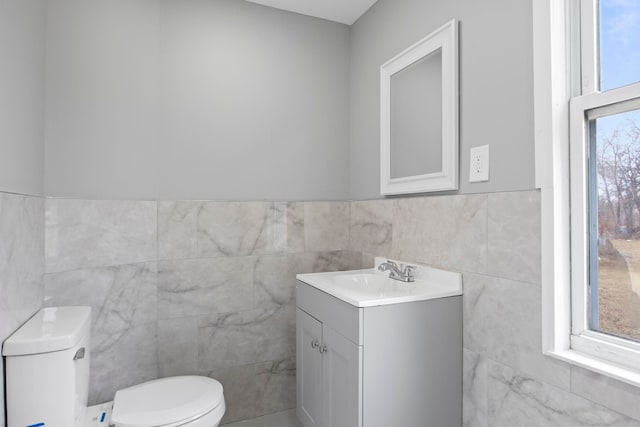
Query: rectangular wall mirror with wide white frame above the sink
x=419, y=116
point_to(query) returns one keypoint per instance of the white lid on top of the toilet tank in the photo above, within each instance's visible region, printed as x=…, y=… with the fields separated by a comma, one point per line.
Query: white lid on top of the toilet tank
x=50, y=329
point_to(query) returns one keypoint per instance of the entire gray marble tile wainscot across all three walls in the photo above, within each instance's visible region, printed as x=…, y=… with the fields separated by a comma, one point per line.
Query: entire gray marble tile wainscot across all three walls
x=208, y=287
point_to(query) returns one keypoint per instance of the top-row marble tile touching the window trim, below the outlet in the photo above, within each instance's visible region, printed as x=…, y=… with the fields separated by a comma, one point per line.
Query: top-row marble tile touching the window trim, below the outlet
x=513, y=249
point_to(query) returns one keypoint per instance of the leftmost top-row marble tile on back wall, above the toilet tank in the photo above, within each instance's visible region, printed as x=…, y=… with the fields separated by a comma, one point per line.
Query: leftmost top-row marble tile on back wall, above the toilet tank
x=97, y=233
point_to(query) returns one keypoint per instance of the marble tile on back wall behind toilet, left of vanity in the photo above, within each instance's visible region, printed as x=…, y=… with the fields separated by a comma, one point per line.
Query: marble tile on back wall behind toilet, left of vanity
x=193, y=287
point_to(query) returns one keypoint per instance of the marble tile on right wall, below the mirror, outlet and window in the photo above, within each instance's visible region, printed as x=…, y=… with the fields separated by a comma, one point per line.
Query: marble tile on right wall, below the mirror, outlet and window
x=494, y=241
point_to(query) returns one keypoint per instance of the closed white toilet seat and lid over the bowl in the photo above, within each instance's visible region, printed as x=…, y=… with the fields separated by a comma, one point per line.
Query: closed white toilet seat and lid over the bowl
x=166, y=402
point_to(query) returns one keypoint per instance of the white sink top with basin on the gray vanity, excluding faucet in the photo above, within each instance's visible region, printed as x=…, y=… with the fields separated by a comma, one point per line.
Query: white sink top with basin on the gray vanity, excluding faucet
x=370, y=287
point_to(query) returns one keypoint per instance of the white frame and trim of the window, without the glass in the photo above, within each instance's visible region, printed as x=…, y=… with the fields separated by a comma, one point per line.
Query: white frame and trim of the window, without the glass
x=566, y=96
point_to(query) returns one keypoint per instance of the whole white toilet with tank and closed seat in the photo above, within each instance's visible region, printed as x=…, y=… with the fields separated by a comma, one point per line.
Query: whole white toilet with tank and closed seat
x=47, y=382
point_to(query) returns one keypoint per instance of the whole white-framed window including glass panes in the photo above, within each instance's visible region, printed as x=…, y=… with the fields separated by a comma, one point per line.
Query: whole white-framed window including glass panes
x=590, y=190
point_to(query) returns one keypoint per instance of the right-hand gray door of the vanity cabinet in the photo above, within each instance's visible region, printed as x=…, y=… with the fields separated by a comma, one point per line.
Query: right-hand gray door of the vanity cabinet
x=341, y=381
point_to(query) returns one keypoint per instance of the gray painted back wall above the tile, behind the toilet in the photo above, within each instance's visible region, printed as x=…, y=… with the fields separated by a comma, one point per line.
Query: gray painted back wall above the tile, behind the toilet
x=195, y=99
